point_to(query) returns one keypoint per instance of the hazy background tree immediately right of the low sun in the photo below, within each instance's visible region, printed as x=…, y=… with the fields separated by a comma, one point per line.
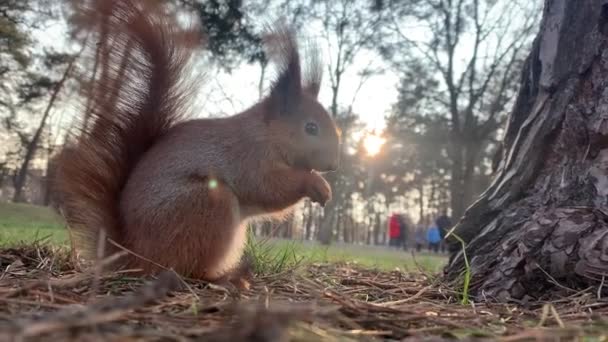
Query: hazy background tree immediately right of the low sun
x=419, y=153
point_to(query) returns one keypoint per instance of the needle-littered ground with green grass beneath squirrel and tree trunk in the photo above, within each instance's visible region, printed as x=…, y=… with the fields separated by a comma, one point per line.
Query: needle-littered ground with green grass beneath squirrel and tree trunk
x=302, y=293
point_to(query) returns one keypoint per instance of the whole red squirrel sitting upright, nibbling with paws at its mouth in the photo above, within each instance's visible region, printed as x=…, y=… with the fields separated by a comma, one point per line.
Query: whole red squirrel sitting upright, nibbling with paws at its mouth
x=178, y=193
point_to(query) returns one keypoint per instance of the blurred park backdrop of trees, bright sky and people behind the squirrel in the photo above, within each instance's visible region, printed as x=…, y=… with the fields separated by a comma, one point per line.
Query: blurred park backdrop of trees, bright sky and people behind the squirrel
x=420, y=88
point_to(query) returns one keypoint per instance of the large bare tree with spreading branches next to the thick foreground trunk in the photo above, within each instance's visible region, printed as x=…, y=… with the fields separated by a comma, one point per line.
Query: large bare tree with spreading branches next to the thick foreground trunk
x=473, y=50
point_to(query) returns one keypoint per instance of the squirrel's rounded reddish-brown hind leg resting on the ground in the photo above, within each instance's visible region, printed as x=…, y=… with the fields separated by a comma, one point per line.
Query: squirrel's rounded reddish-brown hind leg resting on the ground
x=198, y=232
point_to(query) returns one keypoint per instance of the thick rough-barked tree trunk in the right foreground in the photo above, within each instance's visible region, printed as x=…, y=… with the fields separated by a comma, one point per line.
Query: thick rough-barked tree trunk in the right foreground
x=544, y=218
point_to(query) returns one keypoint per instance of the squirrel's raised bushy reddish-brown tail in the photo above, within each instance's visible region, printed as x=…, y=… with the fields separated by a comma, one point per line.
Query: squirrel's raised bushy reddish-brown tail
x=136, y=97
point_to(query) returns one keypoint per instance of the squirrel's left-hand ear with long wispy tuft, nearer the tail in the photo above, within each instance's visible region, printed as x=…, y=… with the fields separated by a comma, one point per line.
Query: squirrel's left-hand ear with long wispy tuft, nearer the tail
x=286, y=90
